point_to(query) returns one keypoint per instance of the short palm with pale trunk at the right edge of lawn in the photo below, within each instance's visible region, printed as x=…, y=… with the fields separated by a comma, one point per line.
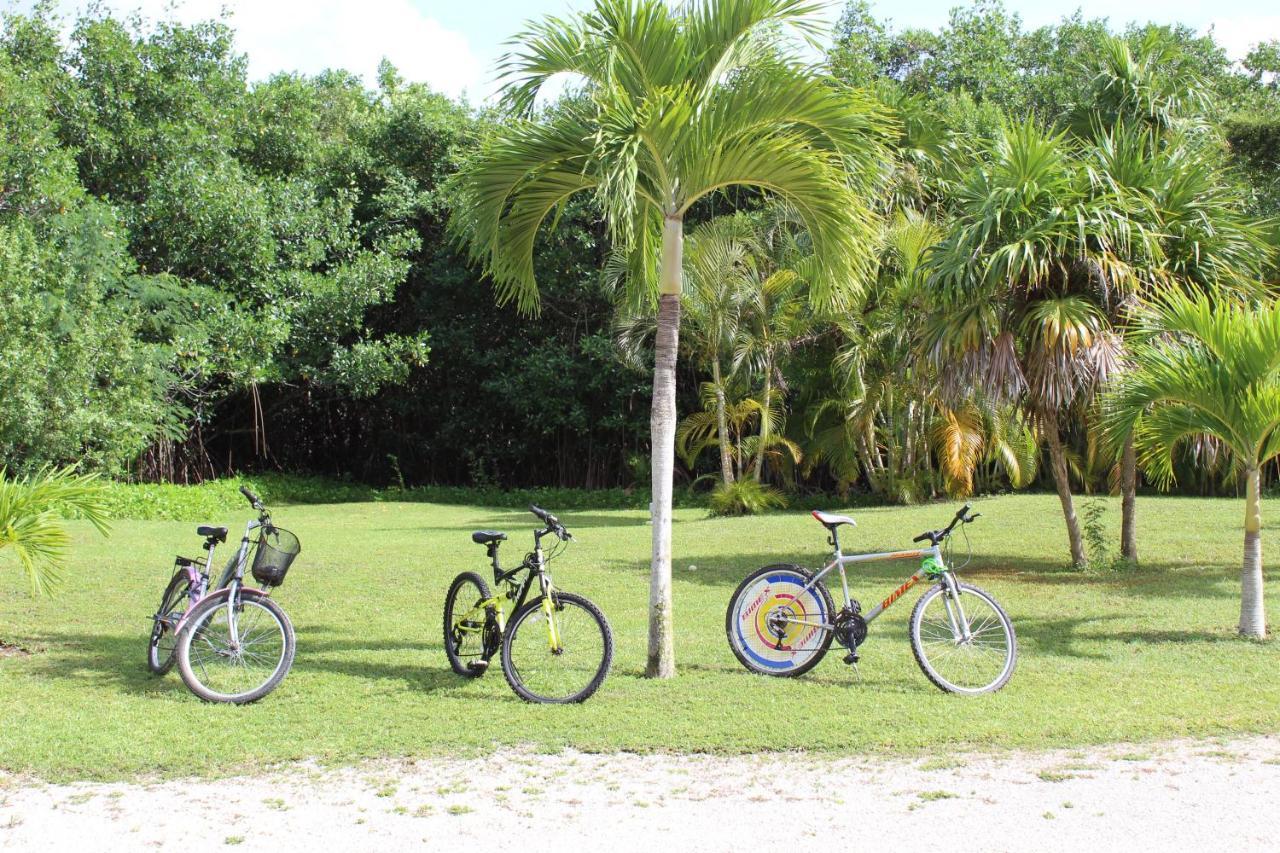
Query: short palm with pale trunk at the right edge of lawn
x=1206, y=370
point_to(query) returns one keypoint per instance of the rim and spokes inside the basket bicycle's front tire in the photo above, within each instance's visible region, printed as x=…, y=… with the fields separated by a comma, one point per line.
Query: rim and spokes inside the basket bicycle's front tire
x=236, y=667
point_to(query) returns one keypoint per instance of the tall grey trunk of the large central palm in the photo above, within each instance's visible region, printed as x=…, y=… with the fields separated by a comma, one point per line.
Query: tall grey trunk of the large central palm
x=662, y=426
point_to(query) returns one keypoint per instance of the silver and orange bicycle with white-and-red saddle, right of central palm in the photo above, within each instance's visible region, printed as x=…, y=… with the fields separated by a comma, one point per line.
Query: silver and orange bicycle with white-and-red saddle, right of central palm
x=781, y=619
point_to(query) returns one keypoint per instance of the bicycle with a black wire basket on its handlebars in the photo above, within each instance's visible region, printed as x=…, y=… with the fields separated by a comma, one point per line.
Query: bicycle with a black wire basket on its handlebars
x=232, y=644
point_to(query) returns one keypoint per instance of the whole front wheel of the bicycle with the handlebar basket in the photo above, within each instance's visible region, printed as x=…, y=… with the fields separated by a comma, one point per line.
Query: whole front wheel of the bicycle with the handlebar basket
x=241, y=660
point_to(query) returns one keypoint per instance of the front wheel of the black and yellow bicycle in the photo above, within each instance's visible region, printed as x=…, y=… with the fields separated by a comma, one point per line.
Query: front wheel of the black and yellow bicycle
x=557, y=660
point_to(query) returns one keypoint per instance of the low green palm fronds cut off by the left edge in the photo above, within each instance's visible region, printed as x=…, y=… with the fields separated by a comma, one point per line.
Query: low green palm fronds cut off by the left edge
x=31, y=513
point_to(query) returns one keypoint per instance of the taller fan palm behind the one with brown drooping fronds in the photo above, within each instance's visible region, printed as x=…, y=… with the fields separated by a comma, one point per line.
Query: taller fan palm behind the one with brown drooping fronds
x=1151, y=180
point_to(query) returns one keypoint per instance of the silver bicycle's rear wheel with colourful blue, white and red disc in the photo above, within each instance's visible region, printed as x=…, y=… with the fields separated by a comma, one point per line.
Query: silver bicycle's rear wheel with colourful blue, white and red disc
x=772, y=600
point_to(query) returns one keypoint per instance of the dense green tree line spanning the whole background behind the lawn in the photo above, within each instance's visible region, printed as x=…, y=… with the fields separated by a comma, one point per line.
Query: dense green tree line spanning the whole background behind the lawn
x=205, y=276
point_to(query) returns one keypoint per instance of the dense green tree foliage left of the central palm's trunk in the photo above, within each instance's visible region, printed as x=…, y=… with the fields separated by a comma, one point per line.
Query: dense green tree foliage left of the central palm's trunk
x=203, y=275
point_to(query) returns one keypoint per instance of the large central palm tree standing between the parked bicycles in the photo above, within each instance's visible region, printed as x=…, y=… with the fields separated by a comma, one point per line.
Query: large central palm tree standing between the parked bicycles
x=676, y=106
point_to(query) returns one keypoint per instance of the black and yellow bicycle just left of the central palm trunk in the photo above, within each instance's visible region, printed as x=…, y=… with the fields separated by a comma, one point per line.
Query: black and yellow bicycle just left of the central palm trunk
x=556, y=649
